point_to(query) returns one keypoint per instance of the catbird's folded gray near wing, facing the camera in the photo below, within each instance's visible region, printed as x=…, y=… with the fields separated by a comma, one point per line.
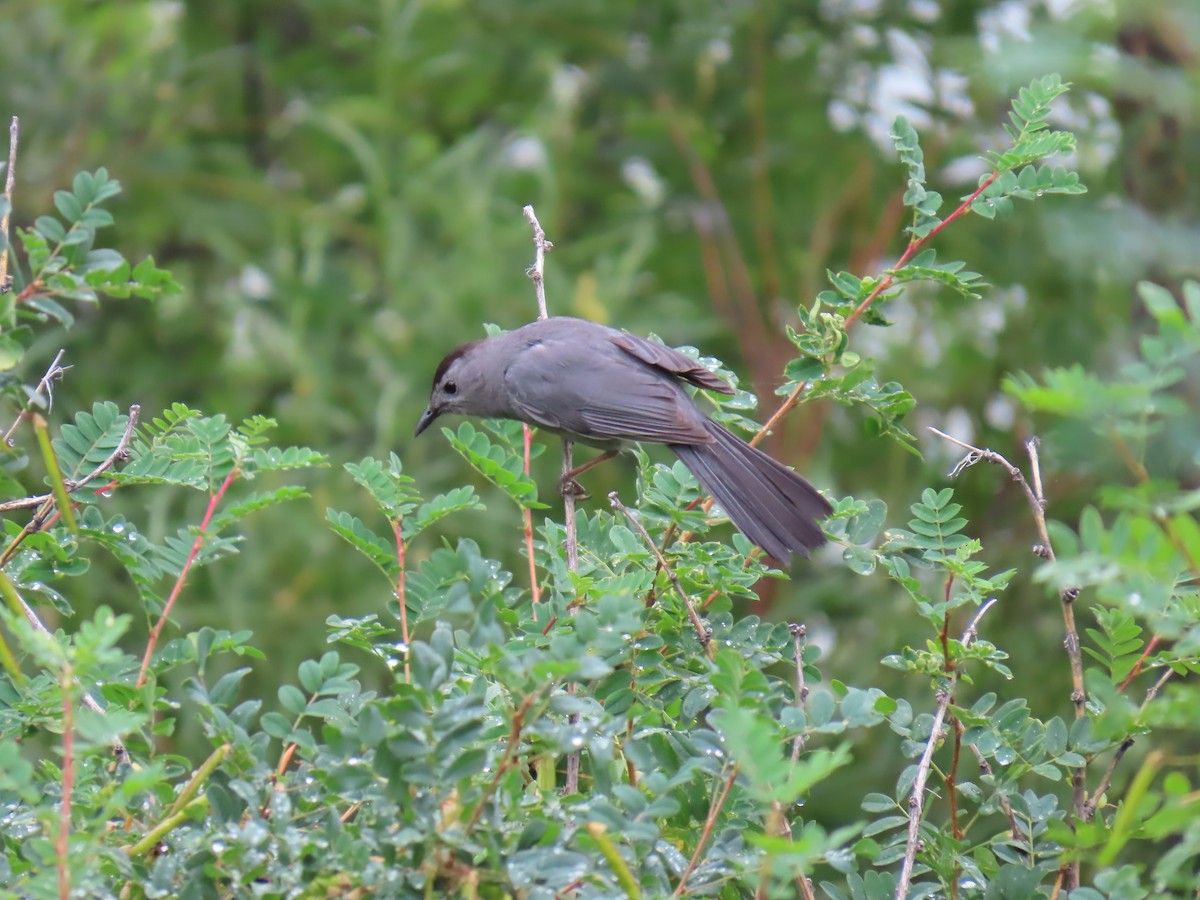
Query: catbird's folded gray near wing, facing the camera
x=601, y=397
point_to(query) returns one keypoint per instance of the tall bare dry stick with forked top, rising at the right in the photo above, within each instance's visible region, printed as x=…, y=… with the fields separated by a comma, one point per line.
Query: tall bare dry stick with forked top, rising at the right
x=1067, y=597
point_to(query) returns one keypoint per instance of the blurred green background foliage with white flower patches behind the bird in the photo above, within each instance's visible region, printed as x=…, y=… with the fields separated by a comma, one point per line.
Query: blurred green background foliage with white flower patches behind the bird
x=338, y=189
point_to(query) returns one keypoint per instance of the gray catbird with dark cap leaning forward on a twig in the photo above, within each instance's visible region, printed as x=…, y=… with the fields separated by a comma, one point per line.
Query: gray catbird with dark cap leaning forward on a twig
x=604, y=388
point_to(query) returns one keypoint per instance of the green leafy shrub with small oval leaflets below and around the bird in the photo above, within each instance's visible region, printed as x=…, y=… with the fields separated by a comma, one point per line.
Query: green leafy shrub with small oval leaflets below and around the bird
x=703, y=749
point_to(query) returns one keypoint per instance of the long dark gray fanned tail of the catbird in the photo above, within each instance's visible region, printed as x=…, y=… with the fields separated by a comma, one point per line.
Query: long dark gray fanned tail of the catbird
x=770, y=505
